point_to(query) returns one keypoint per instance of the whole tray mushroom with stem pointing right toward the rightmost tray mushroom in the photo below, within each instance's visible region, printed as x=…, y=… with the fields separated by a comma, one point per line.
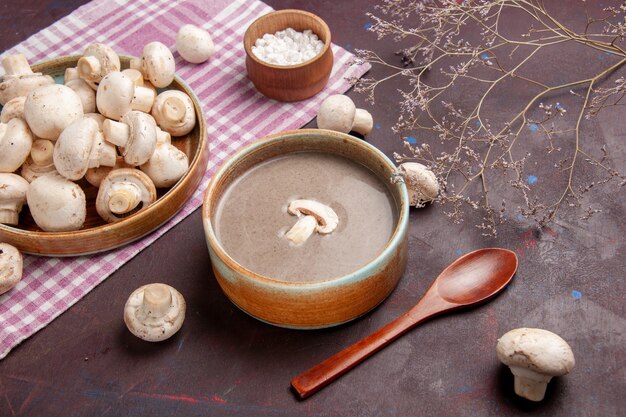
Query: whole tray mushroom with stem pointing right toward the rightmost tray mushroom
x=117, y=95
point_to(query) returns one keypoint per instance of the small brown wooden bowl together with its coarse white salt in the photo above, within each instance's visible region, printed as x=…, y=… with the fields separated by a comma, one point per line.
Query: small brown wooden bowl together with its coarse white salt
x=288, y=54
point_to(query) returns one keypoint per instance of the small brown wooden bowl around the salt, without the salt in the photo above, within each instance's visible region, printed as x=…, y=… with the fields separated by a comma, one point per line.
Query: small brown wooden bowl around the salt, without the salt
x=292, y=82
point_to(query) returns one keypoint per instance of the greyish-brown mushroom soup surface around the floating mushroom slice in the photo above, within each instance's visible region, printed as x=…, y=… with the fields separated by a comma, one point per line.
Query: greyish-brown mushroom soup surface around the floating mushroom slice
x=251, y=220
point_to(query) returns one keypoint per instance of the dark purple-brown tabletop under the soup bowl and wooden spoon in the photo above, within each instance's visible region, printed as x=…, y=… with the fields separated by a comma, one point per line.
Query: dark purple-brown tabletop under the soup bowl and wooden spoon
x=223, y=363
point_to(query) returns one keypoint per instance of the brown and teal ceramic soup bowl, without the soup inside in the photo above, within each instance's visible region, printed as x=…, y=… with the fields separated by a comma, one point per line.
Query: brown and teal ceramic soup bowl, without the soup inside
x=308, y=304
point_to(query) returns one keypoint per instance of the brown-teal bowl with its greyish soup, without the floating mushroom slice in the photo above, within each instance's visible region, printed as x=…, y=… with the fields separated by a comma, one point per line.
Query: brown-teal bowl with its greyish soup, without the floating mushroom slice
x=287, y=296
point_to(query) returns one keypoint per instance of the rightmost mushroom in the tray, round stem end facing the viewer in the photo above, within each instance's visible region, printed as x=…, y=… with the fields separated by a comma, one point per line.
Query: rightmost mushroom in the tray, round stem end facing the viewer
x=174, y=112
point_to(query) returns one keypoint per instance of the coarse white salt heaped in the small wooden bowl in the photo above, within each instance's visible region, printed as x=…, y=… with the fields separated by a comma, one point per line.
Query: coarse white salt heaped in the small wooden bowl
x=287, y=47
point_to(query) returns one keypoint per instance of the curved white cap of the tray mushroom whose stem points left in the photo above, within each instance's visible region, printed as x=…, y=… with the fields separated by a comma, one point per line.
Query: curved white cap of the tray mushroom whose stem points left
x=142, y=138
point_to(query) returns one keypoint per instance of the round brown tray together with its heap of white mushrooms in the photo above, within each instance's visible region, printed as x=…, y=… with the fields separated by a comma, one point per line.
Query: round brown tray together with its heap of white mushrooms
x=110, y=150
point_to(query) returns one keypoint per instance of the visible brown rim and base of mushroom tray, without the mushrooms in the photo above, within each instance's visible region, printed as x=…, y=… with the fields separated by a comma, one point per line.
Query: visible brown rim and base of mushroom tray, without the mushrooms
x=97, y=235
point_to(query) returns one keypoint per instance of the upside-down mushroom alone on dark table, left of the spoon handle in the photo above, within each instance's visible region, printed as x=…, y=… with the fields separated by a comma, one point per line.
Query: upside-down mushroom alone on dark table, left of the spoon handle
x=154, y=312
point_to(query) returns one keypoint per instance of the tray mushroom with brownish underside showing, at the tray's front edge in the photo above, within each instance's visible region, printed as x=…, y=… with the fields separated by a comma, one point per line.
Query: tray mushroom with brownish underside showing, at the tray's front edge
x=122, y=192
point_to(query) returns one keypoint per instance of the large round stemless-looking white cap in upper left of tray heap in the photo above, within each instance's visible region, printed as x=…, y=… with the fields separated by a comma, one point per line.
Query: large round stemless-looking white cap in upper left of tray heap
x=50, y=109
